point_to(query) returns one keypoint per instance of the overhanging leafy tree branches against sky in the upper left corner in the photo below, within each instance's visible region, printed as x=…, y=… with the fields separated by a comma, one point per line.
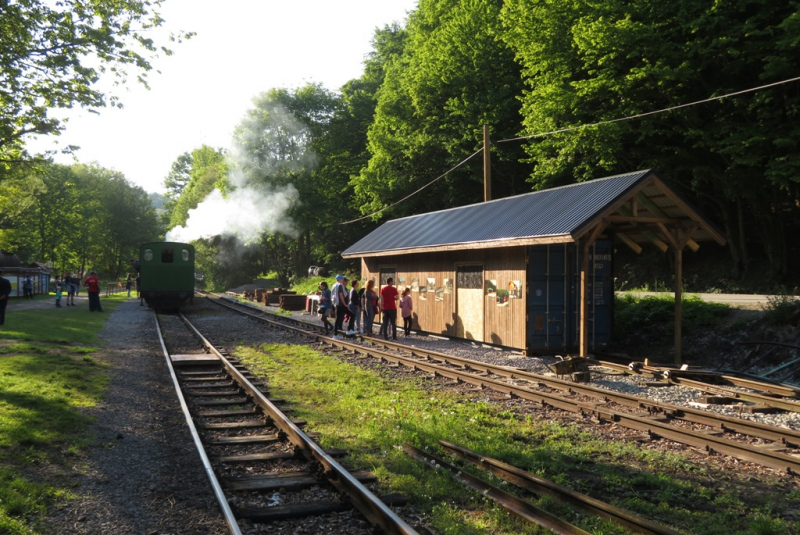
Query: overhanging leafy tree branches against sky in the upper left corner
x=52, y=54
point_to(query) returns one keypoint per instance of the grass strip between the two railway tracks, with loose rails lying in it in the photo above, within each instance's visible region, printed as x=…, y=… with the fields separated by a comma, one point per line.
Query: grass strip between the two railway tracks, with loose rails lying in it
x=370, y=414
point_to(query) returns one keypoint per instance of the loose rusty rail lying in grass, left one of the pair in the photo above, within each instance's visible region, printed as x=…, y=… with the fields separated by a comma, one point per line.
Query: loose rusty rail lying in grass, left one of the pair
x=507, y=501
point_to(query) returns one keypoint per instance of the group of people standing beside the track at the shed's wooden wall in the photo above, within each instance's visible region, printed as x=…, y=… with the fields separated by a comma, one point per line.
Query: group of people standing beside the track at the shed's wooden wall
x=354, y=304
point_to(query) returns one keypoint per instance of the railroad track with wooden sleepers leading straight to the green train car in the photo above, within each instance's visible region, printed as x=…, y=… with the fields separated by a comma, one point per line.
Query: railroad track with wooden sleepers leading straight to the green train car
x=247, y=443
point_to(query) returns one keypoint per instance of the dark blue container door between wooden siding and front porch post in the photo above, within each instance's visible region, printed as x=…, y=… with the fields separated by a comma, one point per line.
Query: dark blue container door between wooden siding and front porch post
x=547, y=297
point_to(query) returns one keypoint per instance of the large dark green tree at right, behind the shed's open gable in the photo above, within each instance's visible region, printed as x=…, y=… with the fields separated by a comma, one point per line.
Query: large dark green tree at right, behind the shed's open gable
x=736, y=158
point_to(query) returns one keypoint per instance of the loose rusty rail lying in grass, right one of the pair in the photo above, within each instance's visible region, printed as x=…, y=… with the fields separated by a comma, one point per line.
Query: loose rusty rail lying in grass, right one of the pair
x=540, y=486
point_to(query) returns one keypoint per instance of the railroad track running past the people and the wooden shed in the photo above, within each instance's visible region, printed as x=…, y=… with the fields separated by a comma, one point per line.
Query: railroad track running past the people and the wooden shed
x=769, y=446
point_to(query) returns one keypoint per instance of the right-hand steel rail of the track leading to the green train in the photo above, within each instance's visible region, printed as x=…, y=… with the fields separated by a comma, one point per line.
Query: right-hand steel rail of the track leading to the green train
x=377, y=512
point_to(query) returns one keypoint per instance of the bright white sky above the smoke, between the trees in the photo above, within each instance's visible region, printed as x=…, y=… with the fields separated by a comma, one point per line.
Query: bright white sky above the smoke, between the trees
x=242, y=48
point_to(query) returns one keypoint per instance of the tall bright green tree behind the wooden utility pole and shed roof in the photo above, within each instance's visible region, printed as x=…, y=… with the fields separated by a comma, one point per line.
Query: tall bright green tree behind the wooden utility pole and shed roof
x=454, y=74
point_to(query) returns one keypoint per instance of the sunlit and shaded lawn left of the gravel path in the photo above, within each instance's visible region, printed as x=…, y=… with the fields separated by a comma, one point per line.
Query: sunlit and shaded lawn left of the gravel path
x=47, y=373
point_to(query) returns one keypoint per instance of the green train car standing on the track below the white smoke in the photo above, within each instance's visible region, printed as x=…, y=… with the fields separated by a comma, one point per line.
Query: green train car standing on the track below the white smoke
x=167, y=274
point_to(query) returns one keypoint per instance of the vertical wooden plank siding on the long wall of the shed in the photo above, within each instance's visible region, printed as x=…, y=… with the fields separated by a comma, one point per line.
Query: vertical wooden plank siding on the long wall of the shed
x=504, y=324
